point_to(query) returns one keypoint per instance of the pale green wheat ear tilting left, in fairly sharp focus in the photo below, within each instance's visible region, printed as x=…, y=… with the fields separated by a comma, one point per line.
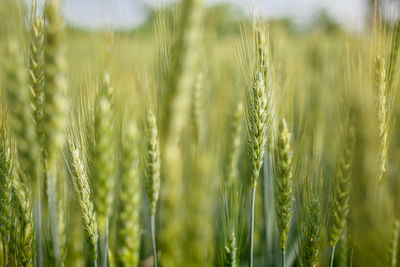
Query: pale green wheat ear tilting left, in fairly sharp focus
x=82, y=192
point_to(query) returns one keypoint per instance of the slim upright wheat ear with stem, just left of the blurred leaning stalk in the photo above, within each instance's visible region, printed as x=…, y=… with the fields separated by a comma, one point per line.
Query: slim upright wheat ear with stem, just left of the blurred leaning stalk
x=153, y=162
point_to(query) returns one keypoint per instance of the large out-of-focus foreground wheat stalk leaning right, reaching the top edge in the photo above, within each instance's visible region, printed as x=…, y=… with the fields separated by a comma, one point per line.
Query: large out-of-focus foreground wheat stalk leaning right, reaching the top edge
x=175, y=108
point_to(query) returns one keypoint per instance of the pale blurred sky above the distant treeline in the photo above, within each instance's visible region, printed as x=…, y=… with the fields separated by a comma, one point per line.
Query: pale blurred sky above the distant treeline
x=126, y=14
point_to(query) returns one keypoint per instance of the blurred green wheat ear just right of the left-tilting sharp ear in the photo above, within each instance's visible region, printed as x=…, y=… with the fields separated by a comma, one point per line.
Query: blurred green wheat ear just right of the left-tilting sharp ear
x=103, y=161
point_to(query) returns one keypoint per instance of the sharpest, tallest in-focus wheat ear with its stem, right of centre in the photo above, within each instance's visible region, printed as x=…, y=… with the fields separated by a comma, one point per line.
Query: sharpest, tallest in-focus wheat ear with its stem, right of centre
x=258, y=121
